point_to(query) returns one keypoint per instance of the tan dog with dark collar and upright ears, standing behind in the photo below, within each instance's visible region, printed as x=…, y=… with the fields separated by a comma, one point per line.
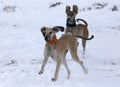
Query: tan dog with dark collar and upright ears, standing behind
x=76, y=29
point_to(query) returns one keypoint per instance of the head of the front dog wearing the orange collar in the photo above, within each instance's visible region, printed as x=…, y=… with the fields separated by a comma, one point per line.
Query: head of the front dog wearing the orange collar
x=50, y=33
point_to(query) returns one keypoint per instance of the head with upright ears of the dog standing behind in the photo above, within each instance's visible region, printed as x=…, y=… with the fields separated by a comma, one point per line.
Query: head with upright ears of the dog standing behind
x=71, y=14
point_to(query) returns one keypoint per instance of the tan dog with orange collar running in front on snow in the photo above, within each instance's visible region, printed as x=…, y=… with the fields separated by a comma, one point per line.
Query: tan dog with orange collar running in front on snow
x=58, y=48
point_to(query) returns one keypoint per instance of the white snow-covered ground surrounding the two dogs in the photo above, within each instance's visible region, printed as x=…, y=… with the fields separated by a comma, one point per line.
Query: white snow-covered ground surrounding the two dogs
x=22, y=44
